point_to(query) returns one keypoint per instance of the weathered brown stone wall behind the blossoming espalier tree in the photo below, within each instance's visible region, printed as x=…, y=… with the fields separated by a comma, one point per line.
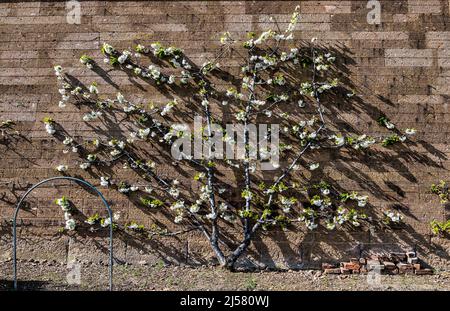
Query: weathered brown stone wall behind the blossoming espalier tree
x=398, y=68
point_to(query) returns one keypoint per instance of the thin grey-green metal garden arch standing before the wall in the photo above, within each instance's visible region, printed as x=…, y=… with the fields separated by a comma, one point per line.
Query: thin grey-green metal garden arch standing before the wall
x=16, y=212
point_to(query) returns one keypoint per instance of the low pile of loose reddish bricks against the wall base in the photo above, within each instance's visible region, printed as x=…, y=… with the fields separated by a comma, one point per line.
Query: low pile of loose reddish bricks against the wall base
x=395, y=263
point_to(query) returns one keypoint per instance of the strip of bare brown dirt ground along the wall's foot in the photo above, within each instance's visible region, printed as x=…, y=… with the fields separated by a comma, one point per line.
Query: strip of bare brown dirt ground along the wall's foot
x=53, y=276
